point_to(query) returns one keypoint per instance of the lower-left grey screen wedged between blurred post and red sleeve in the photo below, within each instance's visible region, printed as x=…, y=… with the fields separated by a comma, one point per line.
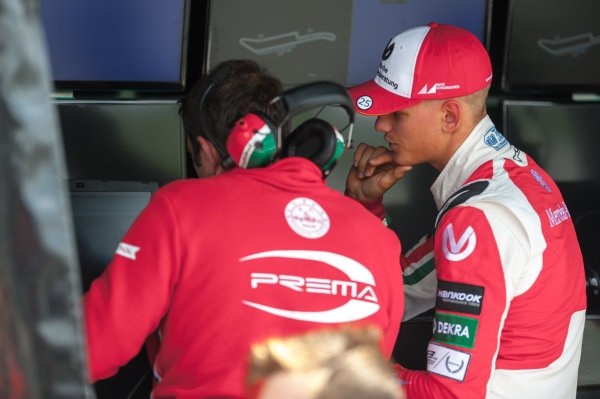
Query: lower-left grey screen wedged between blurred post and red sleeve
x=102, y=213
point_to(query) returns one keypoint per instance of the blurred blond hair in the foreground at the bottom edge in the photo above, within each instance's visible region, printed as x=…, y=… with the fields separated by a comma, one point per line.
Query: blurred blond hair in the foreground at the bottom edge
x=323, y=364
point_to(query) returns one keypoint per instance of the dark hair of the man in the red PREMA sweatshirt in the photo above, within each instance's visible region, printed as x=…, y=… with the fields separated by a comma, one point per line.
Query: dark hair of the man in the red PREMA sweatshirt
x=249, y=88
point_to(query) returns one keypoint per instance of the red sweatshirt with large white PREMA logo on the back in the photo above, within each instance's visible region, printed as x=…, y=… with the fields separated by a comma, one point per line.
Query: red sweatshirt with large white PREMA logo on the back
x=219, y=263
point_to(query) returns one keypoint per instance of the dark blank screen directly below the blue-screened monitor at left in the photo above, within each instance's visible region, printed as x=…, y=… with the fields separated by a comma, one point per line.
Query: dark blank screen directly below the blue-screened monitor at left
x=137, y=140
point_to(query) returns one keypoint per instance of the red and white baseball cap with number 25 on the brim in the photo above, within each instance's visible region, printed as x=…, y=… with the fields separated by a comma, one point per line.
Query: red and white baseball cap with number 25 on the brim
x=426, y=62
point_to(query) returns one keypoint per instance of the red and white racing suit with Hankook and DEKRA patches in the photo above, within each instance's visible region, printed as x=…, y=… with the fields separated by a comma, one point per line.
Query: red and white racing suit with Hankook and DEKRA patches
x=509, y=284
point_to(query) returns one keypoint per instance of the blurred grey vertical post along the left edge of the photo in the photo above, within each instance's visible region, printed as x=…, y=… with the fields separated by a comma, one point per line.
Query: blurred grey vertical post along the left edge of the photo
x=41, y=341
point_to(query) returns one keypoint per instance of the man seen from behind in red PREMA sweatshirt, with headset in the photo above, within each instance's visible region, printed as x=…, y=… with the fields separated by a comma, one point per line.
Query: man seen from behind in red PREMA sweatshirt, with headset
x=249, y=251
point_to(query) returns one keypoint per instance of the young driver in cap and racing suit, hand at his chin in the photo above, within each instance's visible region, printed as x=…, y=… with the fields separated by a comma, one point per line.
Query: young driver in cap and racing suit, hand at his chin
x=503, y=268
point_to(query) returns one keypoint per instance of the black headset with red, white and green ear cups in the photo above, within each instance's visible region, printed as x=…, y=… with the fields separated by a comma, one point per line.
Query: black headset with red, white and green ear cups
x=254, y=140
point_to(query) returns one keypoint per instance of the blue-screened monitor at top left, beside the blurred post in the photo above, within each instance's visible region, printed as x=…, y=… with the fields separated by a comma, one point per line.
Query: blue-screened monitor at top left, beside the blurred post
x=113, y=44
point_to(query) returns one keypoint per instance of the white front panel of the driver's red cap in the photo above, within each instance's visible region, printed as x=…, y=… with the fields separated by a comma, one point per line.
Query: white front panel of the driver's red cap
x=396, y=73
